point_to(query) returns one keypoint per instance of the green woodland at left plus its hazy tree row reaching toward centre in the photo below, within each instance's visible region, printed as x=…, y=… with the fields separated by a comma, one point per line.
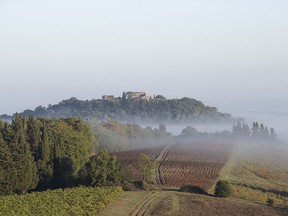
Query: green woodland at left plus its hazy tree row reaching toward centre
x=40, y=154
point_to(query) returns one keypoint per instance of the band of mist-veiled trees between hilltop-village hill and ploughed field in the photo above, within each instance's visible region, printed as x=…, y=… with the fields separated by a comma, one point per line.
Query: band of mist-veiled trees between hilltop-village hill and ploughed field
x=117, y=136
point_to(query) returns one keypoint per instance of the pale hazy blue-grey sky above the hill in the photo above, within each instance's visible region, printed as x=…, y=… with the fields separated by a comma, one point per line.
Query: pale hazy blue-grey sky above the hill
x=214, y=51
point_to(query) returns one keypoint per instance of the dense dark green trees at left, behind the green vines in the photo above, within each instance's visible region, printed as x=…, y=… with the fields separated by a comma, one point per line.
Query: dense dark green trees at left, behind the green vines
x=40, y=154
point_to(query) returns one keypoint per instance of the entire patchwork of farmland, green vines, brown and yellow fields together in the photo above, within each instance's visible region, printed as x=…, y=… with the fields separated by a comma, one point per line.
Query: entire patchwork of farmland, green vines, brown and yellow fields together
x=255, y=174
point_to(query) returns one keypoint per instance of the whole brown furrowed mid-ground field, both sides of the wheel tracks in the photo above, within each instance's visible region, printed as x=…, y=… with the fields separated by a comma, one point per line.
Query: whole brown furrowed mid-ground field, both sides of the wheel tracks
x=198, y=164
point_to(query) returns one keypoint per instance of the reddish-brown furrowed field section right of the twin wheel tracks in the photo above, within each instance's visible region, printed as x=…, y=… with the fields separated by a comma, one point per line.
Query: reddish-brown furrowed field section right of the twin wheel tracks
x=198, y=164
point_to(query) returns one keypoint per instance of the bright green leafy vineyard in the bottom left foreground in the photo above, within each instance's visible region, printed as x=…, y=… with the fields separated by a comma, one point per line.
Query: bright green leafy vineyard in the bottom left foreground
x=75, y=201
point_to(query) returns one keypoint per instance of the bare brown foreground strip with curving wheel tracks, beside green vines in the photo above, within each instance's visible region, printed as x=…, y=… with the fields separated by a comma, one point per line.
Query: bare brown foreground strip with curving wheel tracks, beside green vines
x=169, y=202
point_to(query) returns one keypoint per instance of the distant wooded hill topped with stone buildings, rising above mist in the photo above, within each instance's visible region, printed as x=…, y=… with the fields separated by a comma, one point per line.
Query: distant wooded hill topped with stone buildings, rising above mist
x=132, y=107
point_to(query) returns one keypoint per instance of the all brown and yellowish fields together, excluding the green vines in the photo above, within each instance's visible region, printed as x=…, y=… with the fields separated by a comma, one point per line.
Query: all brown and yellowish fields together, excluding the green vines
x=256, y=173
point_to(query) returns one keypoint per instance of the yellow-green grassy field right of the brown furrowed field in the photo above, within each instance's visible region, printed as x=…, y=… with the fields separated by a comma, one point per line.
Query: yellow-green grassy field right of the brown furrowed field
x=258, y=172
